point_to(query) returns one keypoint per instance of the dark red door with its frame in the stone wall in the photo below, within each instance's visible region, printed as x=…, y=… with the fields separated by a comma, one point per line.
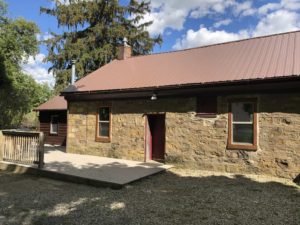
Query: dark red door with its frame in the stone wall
x=156, y=137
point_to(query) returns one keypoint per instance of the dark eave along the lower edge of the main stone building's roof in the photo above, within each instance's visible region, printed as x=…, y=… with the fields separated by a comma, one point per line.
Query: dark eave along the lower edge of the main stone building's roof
x=290, y=83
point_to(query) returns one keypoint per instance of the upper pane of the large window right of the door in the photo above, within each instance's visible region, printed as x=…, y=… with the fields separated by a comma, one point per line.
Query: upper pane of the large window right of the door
x=242, y=112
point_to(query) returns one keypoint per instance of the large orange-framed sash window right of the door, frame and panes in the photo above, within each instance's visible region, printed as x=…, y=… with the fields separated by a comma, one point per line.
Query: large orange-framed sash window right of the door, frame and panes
x=242, y=119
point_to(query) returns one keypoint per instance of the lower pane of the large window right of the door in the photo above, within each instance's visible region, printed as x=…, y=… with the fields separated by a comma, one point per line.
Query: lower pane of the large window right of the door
x=243, y=133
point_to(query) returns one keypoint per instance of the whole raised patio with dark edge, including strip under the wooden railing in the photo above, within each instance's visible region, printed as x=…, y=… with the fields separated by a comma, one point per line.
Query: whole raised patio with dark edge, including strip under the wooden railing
x=93, y=170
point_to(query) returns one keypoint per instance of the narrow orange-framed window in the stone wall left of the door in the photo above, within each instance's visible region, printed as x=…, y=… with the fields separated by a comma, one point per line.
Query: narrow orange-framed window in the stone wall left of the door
x=103, y=132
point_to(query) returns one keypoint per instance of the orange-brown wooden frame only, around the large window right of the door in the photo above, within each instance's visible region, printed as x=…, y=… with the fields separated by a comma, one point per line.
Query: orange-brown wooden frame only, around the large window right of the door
x=242, y=146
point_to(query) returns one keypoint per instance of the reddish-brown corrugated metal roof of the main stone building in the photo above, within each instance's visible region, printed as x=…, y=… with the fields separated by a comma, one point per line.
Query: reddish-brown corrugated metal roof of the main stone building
x=272, y=56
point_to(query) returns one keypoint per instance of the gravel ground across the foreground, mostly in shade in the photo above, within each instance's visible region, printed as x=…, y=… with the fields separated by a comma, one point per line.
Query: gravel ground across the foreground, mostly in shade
x=174, y=197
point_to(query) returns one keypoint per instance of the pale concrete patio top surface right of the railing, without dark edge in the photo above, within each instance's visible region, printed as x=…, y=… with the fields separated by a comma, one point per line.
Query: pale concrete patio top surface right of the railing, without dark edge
x=111, y=170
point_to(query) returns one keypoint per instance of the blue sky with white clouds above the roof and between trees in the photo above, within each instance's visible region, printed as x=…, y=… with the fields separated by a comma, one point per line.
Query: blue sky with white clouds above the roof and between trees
x=183, y=23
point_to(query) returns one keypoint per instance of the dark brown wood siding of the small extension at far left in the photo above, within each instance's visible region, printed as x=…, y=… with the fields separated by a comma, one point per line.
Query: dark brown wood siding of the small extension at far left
x=45, y=120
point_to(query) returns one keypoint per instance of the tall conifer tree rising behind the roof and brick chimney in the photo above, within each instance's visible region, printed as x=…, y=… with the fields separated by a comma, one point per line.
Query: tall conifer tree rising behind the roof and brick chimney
x=95, y=29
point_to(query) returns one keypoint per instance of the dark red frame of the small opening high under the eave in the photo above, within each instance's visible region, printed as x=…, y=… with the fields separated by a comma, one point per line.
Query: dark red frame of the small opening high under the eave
x=200, y=101
